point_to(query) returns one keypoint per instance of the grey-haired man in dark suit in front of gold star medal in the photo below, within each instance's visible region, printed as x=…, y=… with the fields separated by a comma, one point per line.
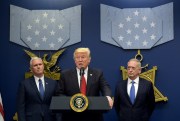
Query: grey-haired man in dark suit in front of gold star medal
x=134, y=98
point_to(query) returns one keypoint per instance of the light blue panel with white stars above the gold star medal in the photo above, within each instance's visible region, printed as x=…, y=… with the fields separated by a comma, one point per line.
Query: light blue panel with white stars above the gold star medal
x=137, y=28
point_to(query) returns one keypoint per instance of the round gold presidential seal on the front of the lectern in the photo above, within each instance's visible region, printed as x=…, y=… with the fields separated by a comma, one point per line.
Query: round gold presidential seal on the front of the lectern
x=79, y=102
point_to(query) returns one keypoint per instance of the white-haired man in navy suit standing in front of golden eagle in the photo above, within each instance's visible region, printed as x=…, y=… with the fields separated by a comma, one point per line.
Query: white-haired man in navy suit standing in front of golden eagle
x=34, y=95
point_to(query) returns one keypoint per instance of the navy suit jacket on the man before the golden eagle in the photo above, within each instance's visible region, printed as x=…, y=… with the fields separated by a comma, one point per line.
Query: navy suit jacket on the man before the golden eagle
x=30, y=106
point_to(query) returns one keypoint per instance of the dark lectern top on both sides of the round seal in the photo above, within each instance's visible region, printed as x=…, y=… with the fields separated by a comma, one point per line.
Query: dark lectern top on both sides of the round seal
x=62, y=104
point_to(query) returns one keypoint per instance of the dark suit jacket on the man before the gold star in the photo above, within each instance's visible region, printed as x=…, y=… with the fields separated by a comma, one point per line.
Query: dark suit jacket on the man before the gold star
x=143, y=106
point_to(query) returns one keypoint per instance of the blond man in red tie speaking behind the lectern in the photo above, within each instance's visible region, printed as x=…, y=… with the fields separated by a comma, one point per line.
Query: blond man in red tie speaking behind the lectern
x=96, y=85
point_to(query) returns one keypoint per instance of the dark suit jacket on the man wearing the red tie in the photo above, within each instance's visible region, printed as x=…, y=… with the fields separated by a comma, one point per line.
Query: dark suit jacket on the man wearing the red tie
x=96, y=86
